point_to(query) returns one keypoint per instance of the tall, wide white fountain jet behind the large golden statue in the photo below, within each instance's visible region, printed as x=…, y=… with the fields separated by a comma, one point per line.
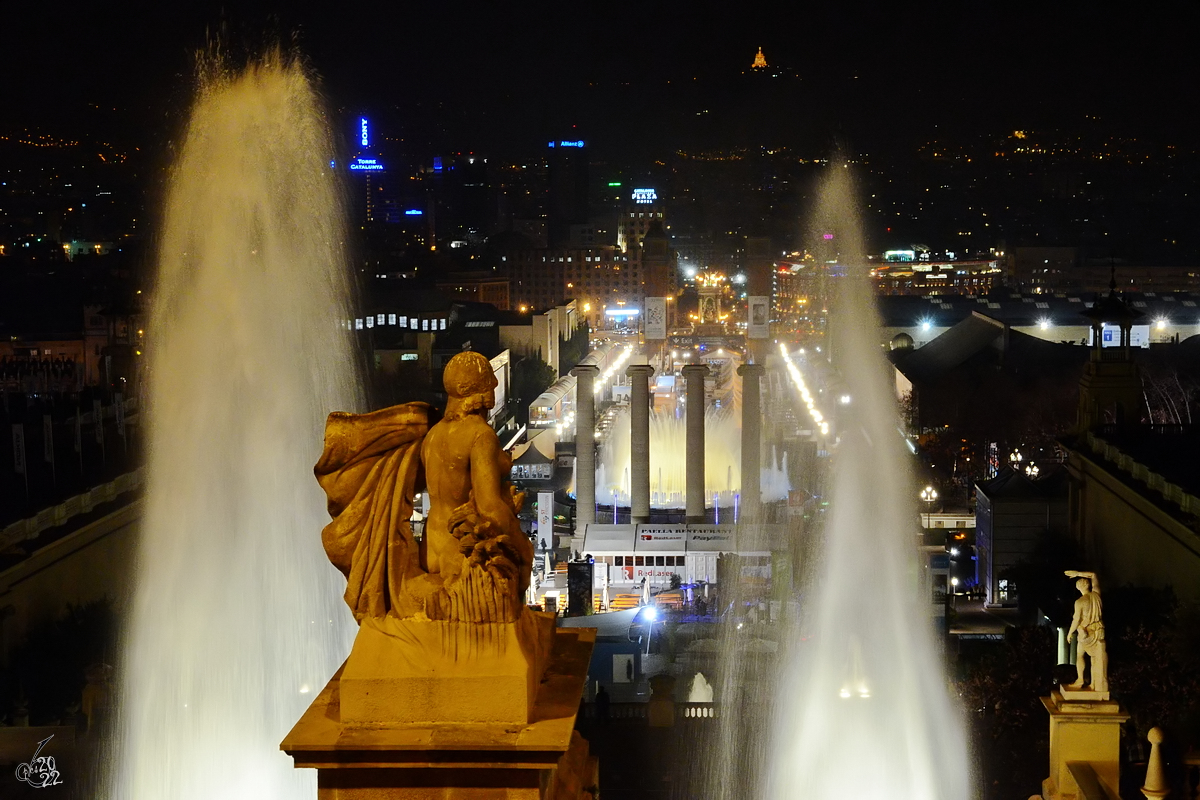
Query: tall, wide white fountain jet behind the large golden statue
x=238, y=617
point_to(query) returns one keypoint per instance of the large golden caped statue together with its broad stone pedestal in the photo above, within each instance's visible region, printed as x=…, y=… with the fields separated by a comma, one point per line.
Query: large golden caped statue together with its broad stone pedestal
x=451, y=673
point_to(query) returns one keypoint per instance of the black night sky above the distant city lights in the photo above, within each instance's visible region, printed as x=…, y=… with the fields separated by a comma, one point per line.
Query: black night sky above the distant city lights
x=633, y=79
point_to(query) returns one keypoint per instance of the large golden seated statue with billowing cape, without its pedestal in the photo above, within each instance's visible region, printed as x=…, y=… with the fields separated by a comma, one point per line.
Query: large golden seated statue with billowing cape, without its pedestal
x=473, y=563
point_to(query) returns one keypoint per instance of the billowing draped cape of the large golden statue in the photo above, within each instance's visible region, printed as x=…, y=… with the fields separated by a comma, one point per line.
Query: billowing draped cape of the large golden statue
x=370, y=472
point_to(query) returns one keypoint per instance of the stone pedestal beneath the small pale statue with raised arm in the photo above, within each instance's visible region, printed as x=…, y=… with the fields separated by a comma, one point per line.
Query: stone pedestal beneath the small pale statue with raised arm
x=1085, y=738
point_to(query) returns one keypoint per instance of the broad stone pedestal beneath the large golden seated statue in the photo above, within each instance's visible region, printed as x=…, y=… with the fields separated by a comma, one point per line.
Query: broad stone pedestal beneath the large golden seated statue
x=478, y=755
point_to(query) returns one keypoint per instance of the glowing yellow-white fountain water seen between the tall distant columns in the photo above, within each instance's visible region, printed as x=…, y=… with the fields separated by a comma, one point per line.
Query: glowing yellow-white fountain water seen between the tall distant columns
x=669, y=462
